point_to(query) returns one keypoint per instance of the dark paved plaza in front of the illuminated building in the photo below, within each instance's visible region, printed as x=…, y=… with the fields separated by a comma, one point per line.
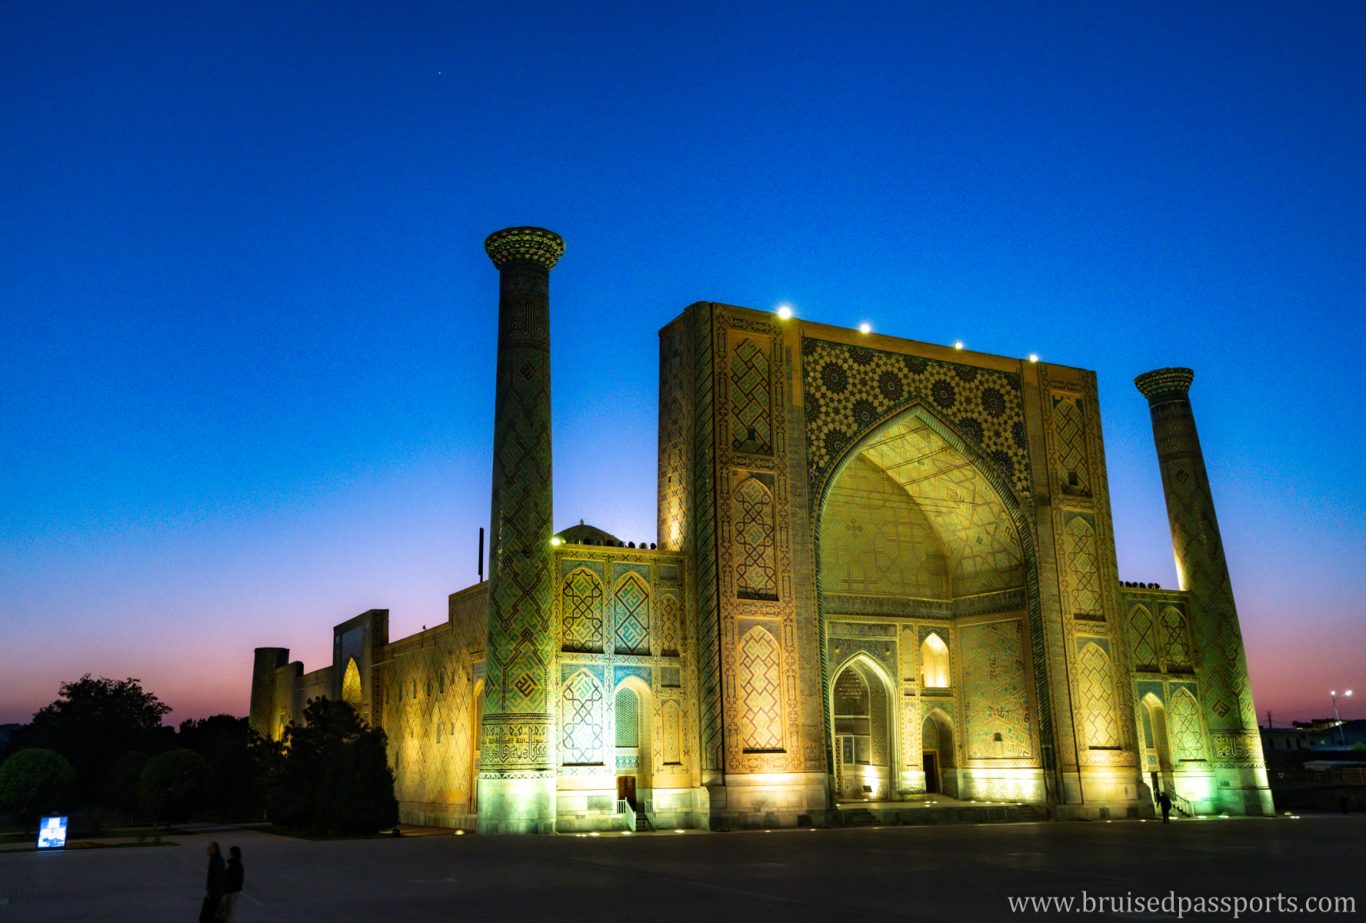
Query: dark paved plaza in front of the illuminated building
x=946, y=873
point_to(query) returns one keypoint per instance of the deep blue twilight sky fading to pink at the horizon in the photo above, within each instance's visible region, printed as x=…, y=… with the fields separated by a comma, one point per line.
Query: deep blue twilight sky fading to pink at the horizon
x=248, y=326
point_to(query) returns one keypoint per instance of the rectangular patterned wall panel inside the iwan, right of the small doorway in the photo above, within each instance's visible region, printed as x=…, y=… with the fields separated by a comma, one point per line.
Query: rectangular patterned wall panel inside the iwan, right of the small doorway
x=995, y=698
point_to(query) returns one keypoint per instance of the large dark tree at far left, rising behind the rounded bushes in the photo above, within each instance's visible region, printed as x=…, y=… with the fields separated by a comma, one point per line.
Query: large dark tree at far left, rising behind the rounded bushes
x=92, y=723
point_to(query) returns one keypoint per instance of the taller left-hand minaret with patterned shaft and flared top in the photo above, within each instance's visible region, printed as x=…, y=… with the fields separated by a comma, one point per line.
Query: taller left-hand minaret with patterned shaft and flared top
x=517, y=764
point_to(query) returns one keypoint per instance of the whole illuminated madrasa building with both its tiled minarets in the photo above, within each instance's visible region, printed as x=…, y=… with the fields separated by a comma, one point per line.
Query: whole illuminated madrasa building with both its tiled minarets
x=884, y=582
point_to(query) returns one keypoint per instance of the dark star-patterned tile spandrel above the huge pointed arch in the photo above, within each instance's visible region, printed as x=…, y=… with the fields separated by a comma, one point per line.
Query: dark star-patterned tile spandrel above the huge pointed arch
x=848, y=388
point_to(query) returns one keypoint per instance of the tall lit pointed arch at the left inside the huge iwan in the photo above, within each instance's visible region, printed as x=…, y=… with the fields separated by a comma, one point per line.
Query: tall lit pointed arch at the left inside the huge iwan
x=863, y=705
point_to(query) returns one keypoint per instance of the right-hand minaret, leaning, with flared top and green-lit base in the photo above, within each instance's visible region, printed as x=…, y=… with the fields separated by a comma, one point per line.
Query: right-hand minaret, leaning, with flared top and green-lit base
x=1203, y=573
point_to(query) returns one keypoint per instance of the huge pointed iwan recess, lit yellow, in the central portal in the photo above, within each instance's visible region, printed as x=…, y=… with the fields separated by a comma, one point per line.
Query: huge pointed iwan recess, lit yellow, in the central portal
x=925, y=573
